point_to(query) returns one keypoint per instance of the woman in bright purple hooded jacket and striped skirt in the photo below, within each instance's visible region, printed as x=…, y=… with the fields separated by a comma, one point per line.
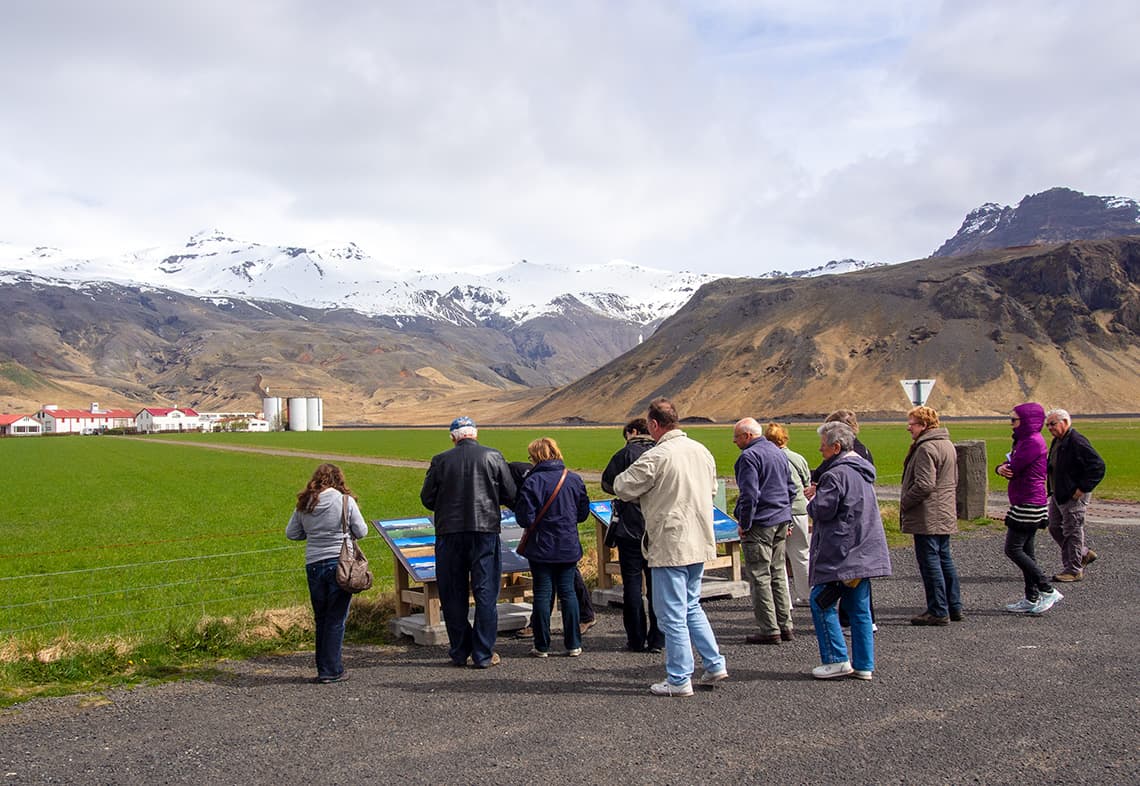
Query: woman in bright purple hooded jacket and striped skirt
x=1025, y=469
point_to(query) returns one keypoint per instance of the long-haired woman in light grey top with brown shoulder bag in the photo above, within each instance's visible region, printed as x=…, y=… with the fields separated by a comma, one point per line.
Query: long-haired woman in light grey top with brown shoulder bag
x=317, y=521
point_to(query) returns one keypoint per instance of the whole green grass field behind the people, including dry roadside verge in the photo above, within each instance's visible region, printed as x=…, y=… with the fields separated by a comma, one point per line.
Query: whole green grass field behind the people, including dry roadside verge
x=127, y=552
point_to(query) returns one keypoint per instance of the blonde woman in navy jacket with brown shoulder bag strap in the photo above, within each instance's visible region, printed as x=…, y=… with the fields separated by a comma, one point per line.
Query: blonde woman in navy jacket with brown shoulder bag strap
x=552, y=548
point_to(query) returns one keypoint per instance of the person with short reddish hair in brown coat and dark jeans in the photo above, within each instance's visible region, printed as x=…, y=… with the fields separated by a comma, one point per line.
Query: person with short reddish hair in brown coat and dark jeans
x=927, y=509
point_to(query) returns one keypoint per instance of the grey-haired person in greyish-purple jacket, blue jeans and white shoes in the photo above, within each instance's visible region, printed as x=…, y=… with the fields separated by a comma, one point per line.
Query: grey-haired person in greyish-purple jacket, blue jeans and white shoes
x=849, y=549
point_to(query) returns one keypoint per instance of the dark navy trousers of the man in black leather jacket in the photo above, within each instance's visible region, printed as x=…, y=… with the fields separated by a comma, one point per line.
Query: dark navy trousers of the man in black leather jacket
x=469, y=564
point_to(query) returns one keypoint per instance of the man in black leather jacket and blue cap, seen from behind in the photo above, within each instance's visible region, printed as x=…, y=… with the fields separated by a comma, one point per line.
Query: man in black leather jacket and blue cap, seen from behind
x=466, y=488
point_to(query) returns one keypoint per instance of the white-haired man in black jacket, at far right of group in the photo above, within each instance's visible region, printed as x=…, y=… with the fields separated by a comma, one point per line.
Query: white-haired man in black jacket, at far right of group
x=1074, y=471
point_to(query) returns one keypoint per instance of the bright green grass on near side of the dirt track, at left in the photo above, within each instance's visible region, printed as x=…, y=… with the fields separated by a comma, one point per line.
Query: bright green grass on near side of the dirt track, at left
x=119, y=537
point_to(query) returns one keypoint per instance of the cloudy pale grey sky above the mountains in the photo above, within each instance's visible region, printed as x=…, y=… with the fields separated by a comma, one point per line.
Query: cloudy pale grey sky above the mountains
x=727, y=136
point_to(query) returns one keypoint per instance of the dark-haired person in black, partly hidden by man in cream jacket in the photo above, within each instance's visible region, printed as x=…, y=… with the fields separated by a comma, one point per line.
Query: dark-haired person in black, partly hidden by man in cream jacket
x=628, y=528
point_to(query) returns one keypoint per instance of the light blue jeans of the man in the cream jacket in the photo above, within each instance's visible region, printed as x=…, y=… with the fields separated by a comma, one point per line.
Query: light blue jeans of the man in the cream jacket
x=678, y=603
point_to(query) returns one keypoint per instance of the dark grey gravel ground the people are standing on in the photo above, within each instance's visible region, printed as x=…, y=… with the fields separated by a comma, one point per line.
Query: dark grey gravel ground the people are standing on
x=997, y=699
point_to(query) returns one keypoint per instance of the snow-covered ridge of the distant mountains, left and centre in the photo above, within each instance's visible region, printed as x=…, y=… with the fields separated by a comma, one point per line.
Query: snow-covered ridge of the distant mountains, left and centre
x=217, y=265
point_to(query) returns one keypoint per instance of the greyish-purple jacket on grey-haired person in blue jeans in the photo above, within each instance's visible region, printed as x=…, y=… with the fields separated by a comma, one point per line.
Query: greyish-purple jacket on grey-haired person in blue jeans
x=848, y=540
